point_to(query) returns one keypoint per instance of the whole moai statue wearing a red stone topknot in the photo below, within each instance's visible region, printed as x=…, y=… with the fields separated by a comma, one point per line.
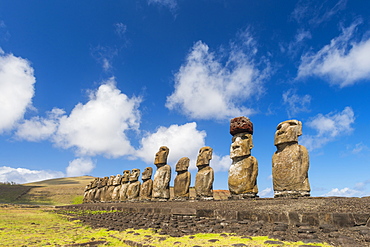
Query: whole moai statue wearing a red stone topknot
x=244, y=168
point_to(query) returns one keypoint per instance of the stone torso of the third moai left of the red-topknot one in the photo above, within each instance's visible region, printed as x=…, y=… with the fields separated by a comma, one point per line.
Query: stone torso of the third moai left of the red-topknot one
x=161, y=184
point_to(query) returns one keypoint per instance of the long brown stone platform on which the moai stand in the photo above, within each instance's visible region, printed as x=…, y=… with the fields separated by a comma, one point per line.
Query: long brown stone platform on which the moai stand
x=334, y=220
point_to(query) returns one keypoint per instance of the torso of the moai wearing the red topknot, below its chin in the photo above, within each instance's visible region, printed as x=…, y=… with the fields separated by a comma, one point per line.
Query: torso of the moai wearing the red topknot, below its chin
x=243, y=176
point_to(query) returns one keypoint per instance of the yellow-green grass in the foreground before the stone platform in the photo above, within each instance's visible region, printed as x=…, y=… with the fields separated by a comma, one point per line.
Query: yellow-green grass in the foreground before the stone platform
x=39, y=227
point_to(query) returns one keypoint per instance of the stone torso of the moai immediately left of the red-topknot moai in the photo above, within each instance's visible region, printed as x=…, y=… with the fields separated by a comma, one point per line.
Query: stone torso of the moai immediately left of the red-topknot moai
x=204, y=182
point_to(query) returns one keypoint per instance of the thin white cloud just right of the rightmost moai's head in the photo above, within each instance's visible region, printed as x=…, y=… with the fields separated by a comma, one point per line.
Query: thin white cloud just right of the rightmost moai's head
x=329, y=127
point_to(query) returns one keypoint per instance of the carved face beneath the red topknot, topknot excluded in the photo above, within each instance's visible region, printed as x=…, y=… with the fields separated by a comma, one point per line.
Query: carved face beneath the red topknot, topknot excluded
x=241, y=146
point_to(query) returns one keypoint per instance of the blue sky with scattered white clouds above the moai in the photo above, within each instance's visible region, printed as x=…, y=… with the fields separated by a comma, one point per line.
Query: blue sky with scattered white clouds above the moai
x=96, y=87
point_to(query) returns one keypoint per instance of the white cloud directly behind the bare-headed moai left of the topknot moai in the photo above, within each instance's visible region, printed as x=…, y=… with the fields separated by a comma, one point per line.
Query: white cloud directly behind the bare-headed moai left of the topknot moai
x=182, y=140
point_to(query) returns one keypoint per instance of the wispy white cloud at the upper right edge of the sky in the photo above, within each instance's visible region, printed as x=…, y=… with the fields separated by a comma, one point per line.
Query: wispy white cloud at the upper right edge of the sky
x=343, y=62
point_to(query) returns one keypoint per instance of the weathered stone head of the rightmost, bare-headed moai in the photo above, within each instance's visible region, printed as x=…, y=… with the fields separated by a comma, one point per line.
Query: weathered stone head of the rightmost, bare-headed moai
x=288, y=131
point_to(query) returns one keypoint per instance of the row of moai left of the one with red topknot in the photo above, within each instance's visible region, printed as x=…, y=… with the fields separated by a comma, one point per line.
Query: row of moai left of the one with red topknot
x=127, y=187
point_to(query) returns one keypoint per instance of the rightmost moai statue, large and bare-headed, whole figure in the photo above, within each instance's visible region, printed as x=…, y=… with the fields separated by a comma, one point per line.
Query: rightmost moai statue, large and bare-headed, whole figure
x=290, y=162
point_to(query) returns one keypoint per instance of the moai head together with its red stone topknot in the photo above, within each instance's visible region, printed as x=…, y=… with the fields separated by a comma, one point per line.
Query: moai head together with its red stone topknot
x=241, y=128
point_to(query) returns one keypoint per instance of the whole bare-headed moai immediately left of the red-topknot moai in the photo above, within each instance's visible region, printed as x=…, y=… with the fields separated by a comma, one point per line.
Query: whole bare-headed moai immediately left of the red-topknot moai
x=205, y=175
